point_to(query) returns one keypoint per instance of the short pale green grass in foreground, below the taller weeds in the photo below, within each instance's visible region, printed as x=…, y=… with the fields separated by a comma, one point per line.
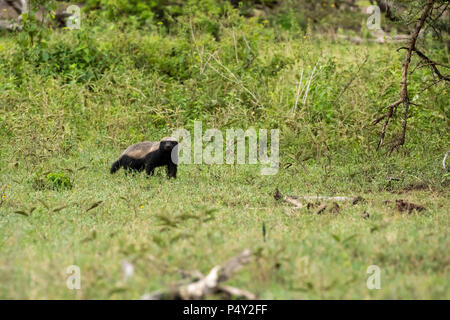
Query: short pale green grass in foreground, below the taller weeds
x=304, y=256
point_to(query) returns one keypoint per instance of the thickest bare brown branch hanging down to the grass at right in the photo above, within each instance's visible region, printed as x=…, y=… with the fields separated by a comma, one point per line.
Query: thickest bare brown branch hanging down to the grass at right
x=404, y=97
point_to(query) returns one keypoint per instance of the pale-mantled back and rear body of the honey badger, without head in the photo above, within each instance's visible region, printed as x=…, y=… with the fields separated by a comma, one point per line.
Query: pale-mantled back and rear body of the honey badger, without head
x=134, y=156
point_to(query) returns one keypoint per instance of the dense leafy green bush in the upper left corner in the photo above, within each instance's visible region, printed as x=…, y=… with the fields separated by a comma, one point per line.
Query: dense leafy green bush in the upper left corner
x=77, y=58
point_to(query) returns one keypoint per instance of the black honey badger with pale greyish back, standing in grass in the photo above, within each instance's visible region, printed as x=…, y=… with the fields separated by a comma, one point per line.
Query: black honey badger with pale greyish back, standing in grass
x=148, y=155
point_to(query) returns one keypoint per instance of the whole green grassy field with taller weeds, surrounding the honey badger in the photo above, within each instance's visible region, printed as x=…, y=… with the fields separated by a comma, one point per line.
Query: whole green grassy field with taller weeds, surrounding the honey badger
x=69, y=110
